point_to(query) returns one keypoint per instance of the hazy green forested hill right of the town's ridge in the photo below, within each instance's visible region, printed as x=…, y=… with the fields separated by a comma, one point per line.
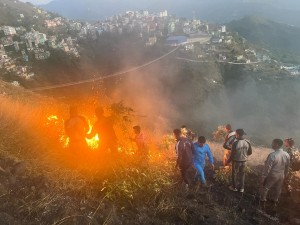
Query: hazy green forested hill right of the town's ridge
x=281, y=39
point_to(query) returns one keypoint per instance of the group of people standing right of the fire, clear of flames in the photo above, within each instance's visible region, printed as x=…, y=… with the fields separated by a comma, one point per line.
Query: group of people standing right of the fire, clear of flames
x=192, y=157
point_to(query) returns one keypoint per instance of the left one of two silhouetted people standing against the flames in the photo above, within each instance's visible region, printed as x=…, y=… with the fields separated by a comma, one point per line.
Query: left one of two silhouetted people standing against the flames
x=76, y=128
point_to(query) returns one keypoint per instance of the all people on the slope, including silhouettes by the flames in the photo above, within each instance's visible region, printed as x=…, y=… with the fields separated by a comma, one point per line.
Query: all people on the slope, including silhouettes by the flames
x=192, y=156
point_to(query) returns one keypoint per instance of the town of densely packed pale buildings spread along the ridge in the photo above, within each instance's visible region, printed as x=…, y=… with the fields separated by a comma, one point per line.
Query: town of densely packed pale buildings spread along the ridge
x=199, y=40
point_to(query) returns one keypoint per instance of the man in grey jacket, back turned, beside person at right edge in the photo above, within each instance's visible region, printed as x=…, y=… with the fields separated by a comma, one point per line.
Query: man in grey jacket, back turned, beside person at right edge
x=276, y=169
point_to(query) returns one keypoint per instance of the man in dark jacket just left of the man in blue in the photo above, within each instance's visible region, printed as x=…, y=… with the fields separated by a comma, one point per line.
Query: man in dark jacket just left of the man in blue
x=185, y=151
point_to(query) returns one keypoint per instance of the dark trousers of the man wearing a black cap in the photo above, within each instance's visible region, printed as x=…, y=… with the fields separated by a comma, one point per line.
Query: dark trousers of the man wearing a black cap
x=238, y=174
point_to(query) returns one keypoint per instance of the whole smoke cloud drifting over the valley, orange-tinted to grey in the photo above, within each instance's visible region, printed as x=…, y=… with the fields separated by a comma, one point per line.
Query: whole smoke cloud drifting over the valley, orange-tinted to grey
x=167, y=97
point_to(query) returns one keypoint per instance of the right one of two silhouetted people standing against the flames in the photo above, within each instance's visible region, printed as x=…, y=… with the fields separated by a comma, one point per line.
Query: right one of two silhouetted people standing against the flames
x=104, y=127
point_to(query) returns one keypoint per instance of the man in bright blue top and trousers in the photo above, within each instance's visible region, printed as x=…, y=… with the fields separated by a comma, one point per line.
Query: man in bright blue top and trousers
x=202, y=151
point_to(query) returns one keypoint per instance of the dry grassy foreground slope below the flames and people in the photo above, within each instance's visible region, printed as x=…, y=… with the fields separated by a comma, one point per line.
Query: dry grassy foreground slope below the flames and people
x=57, y=187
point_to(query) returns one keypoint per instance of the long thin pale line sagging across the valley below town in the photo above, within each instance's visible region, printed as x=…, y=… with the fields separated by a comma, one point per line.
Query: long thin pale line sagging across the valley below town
x=104, y=77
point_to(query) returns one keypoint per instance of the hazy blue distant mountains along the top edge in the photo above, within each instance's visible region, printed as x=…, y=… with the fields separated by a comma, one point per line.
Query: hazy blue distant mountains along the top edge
x=220, y=11
